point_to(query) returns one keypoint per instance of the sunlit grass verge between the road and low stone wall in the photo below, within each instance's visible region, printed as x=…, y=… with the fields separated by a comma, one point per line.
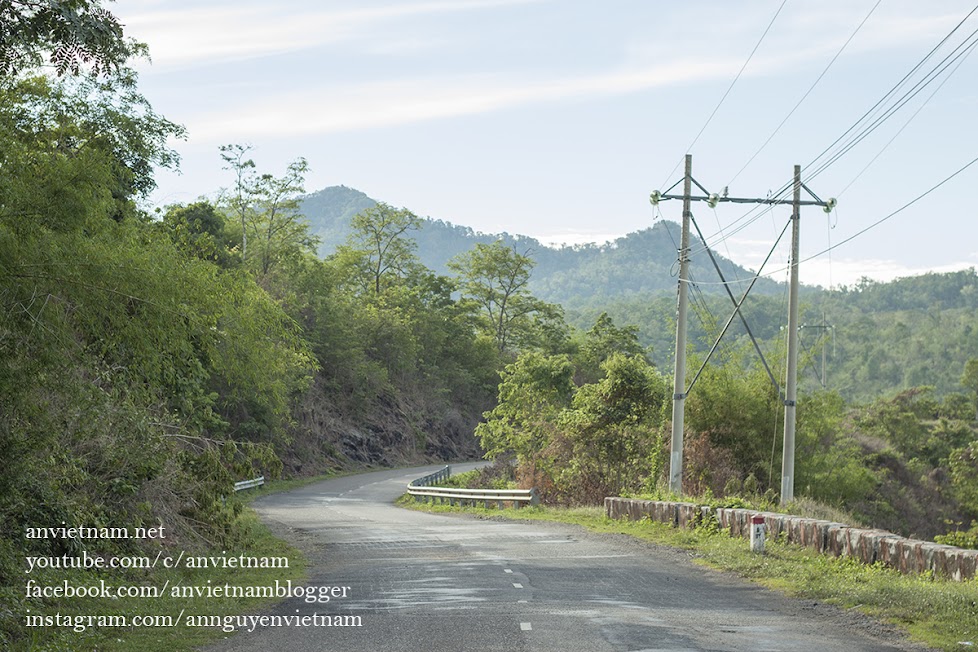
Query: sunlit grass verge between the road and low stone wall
x=940, y=613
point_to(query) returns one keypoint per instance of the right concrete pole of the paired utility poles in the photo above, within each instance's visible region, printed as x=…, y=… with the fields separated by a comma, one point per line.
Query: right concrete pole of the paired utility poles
x=791, y=382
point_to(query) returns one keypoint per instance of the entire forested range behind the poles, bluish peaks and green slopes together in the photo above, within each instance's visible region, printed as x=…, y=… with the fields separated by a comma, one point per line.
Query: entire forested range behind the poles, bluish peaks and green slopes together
x=633, y=280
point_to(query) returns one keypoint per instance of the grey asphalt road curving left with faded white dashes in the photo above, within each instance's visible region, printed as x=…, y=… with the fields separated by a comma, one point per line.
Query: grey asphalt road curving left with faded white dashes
x=434, y=582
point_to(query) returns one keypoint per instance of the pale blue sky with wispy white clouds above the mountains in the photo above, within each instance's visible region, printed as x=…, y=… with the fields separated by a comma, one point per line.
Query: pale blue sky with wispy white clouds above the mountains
x=557, y=118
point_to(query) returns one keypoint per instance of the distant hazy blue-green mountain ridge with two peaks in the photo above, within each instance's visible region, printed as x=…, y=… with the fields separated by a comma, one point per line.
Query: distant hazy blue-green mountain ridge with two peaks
x=638, y=264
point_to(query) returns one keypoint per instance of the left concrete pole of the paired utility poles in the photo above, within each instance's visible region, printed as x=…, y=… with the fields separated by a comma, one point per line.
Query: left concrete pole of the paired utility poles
x=679, y=379
